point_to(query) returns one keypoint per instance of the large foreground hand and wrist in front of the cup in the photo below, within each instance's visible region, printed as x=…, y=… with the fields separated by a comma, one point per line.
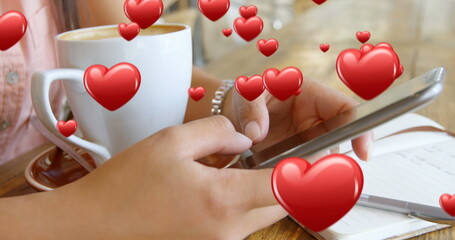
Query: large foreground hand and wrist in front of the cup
x=156, y=190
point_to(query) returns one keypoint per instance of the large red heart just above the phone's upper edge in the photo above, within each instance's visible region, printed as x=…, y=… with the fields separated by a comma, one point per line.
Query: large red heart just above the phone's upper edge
x=370, y=71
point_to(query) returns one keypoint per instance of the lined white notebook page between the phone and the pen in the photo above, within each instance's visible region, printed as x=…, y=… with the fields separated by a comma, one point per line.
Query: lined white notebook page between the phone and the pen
x=420, y=174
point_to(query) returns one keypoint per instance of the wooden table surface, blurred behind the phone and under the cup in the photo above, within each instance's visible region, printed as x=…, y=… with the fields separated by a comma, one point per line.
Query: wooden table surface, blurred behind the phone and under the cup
x=421, y=32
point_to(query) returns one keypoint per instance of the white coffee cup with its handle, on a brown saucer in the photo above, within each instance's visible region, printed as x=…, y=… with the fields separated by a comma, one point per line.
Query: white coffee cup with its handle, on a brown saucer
x=163, y=56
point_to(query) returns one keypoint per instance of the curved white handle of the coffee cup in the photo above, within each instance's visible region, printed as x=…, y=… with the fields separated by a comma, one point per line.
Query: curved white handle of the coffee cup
x=41, y=82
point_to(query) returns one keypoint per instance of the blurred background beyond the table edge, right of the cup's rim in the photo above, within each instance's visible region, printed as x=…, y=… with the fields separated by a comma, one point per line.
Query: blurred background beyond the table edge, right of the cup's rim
x=209, y=42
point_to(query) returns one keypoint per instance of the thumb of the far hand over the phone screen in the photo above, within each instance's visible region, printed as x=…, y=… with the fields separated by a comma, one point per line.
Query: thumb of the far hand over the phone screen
x=252, y=116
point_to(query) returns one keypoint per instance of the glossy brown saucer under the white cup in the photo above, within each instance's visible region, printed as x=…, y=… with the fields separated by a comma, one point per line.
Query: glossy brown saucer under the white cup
x=54, y=168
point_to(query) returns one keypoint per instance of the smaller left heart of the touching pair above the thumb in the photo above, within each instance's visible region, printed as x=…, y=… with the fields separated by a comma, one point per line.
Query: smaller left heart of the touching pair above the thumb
x=249, y=88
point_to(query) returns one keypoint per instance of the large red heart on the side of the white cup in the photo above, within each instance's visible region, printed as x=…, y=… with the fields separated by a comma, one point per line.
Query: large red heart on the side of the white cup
x=114, y=87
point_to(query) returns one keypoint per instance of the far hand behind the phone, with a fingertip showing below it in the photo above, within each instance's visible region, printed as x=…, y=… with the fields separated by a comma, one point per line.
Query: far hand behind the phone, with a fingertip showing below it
x=267, y=120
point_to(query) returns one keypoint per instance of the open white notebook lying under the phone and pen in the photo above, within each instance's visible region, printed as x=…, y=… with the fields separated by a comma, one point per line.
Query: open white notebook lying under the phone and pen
x=415, y=166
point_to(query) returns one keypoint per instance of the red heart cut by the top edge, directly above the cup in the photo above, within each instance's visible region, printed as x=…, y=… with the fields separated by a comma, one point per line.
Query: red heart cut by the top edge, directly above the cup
x=143, y=12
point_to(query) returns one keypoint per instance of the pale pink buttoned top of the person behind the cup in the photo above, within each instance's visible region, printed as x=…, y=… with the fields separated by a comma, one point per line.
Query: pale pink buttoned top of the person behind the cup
x=34, y=52
